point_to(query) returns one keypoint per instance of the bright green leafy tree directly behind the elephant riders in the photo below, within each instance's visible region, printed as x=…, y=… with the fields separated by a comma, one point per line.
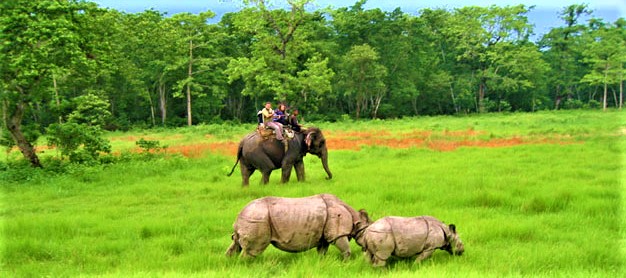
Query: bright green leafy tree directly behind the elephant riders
x=282, y=63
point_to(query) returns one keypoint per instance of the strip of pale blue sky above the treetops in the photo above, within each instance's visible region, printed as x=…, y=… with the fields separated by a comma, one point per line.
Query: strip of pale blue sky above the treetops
x=544, y=15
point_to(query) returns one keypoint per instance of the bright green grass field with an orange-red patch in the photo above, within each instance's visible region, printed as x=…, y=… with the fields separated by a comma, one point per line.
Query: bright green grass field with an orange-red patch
x=531, y=194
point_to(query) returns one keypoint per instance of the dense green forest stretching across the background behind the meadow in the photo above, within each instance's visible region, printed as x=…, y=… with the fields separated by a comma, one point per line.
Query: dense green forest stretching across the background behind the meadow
x=69, y=68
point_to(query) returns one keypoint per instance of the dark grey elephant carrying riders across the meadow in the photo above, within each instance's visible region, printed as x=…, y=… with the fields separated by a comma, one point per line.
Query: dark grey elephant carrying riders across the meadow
x=265, y=153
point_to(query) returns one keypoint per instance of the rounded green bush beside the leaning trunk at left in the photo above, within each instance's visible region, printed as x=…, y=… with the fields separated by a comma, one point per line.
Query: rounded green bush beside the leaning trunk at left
x=80, y=142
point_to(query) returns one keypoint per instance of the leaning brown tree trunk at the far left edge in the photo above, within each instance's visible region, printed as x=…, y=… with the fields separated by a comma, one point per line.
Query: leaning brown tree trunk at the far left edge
x=13, y=123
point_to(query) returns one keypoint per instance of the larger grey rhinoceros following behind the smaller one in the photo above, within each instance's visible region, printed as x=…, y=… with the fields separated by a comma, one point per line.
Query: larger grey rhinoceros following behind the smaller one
x=296, y=224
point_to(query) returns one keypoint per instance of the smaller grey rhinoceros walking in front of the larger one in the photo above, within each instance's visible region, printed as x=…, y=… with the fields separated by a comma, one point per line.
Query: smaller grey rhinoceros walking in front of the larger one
x=405, y=237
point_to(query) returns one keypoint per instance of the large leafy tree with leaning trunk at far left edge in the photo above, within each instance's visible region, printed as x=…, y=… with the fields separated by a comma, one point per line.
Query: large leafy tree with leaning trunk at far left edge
x=38, y=38
